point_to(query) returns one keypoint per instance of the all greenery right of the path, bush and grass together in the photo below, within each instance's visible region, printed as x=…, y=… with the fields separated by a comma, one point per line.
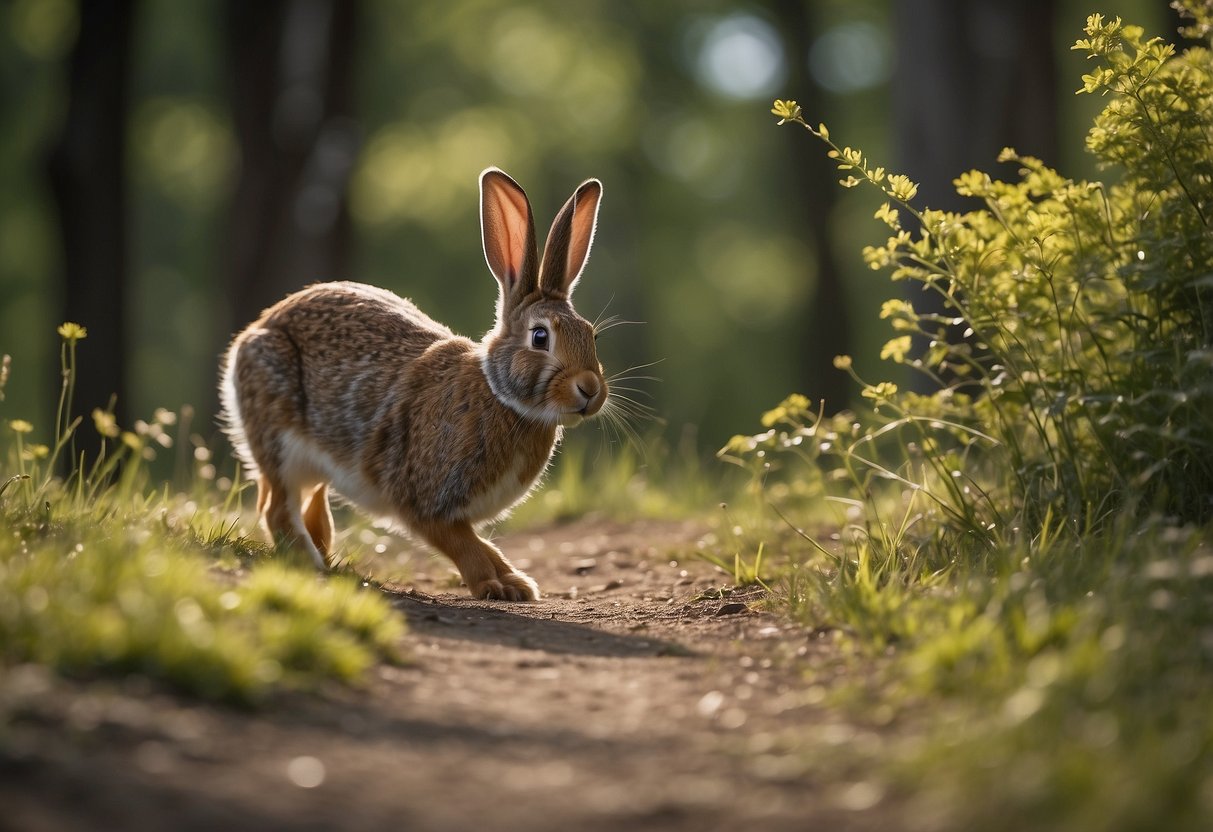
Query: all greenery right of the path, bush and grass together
x=1027, y=552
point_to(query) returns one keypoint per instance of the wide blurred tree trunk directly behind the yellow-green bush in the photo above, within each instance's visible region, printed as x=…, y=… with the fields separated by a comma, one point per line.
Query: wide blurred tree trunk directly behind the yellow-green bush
x=972, y=77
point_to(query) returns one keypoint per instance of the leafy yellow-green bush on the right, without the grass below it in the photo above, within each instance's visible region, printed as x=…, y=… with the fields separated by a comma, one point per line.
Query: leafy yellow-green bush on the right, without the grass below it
x=1077, y=345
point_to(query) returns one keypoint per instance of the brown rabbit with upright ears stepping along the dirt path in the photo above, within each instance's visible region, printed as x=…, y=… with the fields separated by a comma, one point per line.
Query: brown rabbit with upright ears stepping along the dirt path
x=351, y=387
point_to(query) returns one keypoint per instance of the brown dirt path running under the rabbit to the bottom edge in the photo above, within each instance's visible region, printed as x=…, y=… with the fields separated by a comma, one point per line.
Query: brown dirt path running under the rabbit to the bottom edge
x=634, y=697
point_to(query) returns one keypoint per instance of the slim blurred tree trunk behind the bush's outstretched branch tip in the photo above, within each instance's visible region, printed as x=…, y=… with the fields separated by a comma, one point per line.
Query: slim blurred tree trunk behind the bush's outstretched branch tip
x=827, y=330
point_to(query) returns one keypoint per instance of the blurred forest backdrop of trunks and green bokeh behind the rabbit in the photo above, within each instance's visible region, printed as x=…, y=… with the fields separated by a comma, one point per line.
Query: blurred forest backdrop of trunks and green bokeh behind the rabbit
x=172, y=168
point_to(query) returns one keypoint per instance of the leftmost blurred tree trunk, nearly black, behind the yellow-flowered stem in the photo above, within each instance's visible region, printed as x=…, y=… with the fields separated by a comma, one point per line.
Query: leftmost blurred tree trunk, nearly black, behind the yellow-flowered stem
x=87, y=167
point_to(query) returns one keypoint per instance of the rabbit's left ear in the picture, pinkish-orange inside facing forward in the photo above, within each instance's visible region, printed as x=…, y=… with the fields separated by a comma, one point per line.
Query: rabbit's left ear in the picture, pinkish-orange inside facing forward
x=509, y=233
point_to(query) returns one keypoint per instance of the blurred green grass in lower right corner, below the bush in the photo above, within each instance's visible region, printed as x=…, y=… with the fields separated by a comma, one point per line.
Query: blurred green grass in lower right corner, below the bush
x=1051, y=687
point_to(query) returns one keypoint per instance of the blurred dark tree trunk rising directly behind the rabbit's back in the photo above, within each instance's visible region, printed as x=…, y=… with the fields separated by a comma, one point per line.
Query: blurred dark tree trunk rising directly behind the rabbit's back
x=292, y=89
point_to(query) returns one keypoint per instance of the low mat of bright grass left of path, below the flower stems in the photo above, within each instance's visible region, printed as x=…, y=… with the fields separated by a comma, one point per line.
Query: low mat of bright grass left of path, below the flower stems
x=126, y=596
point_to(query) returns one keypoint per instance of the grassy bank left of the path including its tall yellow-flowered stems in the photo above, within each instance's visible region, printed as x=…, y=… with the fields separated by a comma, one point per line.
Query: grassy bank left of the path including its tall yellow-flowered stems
x=101, y=577
